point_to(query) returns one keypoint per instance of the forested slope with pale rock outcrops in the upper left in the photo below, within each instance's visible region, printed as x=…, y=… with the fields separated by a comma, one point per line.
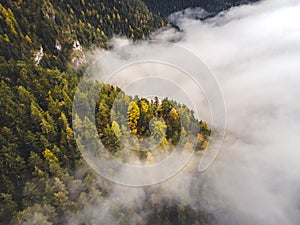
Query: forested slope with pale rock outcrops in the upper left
x=47, y=31
